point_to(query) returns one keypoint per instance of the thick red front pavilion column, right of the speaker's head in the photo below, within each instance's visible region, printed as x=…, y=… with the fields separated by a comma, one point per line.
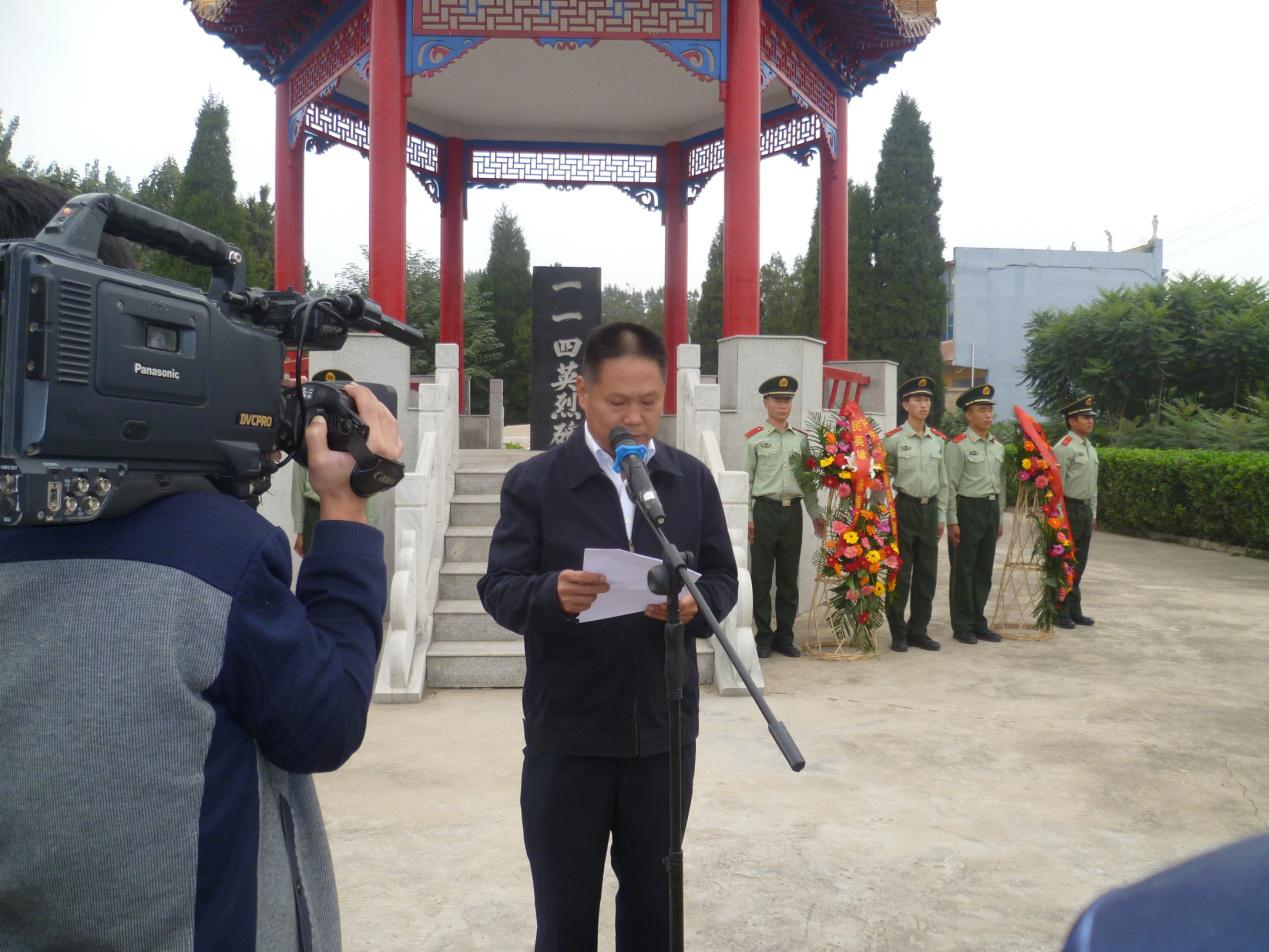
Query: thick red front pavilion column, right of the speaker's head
x=743, y=122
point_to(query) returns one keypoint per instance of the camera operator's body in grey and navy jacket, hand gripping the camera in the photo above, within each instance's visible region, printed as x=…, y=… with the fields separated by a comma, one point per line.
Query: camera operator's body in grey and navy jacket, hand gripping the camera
x=164, y=699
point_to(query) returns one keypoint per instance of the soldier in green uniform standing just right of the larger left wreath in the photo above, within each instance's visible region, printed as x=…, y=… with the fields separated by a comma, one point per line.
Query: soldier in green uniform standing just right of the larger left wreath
x=914, y=454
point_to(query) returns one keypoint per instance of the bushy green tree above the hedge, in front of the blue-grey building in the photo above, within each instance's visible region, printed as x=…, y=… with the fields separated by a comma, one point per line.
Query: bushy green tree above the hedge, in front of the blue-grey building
x=1196, y=338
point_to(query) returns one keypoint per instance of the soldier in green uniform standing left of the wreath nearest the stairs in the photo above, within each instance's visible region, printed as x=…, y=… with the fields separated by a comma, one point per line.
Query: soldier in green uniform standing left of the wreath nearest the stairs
x=776, y=517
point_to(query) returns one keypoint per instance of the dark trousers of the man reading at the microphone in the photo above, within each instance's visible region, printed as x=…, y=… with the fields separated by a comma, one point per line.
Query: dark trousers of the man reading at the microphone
x=568, y=808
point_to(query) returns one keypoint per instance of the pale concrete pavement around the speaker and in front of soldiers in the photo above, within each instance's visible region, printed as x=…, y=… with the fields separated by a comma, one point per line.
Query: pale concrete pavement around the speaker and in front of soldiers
x=973, y=799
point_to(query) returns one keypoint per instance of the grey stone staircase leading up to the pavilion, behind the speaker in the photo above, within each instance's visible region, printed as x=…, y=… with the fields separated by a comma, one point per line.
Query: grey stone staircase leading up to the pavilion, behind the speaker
x=469, y=649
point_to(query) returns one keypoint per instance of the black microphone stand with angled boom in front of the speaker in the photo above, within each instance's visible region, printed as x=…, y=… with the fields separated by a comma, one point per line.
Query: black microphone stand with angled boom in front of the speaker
x=669, y=579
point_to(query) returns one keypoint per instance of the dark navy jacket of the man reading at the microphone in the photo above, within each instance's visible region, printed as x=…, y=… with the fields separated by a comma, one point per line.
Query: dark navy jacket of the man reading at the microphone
x=598, y=690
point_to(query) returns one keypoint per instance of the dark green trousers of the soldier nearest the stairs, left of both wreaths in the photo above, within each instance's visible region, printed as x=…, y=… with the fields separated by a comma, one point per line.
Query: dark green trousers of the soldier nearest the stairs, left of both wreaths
x=777, y=545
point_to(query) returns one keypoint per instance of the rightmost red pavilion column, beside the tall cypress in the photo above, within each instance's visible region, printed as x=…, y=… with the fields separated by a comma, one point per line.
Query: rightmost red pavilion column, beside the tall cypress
x=834, y=243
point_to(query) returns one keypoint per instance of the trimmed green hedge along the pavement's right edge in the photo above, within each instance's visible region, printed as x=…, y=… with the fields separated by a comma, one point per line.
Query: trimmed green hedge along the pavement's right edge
x=1197, y=493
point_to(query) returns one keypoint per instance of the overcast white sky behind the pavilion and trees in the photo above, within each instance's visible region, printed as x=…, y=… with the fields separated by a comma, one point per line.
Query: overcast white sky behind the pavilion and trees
x=1051, y=124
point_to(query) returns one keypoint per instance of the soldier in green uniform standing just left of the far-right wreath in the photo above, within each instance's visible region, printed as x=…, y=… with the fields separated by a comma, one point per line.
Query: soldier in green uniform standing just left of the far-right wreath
x=976, y=499
